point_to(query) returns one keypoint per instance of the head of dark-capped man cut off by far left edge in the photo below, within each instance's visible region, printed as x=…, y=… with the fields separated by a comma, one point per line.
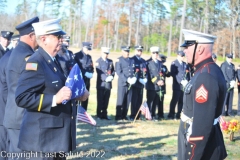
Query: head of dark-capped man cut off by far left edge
x=4, y=41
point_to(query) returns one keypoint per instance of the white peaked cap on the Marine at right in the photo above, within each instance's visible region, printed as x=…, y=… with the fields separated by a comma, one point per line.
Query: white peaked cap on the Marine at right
x=193, y=37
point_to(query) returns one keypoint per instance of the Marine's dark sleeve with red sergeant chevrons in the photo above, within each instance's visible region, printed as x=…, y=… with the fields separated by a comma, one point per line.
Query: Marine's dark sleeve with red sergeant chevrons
x=206, y=92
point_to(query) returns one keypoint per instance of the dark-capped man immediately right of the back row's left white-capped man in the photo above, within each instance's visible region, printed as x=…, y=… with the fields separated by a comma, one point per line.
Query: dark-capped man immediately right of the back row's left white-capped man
x=124, y=68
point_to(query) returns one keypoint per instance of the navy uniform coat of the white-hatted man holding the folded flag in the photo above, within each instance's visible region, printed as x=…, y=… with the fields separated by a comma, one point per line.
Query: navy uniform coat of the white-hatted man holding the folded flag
x=44, y=128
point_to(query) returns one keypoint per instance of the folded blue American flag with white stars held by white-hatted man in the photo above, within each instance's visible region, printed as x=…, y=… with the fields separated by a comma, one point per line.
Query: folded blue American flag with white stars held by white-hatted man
x=75, y=82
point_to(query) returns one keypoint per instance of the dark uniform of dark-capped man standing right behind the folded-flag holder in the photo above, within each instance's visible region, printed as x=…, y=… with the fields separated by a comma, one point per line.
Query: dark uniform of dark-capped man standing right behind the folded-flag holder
x=15, y=67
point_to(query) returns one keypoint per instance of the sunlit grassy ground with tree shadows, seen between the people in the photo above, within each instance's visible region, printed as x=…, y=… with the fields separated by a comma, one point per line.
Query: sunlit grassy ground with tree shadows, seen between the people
x=143, y=140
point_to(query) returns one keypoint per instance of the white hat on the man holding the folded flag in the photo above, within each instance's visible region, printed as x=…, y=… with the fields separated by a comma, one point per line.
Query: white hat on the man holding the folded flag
x=48, y=27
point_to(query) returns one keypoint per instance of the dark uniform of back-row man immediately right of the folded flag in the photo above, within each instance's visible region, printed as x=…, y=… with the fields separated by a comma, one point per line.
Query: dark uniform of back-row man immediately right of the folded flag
x=85, y=63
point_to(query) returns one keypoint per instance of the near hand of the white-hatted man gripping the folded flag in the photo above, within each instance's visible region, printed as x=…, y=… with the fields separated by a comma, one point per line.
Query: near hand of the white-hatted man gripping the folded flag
x=64, y=93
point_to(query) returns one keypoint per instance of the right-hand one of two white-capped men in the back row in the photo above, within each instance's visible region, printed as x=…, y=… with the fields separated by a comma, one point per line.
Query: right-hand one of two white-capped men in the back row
x=154, y=85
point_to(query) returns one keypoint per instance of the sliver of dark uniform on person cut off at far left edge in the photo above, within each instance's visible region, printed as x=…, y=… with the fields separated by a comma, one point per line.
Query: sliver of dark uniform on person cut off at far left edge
x=3, y=99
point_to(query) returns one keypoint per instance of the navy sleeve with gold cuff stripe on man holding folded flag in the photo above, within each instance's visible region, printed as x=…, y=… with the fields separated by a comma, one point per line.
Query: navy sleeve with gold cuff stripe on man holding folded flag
x=29, y=91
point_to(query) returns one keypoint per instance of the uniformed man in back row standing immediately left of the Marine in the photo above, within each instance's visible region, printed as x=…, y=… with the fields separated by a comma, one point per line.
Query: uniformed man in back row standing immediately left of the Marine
x=180, y=73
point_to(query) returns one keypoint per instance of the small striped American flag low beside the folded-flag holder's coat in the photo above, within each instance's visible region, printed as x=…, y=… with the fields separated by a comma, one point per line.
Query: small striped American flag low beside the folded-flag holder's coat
x=84, y=116
